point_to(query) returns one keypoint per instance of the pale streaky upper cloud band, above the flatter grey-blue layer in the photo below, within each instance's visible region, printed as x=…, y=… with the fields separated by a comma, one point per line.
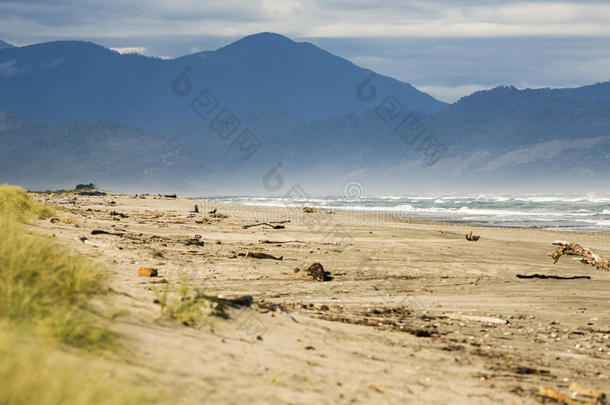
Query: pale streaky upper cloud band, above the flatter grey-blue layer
x=313, y=18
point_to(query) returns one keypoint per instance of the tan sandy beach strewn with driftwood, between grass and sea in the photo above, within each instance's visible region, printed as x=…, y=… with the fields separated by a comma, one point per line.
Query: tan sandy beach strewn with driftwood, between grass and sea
x=397, y=324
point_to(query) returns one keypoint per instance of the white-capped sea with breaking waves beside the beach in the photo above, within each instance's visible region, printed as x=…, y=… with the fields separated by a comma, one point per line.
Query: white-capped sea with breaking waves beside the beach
x=590, y=212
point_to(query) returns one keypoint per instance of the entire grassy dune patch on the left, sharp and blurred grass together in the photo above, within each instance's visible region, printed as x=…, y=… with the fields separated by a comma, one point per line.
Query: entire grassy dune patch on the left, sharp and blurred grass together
x=49, y=329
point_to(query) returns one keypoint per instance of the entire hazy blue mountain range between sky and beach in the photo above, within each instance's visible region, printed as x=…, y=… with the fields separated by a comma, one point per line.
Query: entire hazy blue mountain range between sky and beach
x=221, y=121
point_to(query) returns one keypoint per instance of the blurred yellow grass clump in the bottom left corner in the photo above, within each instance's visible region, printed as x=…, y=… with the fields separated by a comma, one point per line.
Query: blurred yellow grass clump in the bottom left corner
x=31, y=373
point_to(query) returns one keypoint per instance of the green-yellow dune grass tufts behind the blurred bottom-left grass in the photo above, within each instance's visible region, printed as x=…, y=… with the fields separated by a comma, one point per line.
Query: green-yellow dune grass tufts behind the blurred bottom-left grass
x=41, y=286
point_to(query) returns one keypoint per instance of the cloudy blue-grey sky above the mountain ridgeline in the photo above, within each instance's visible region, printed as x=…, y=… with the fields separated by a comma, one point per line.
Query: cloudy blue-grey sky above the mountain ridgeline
x=446, y=48
